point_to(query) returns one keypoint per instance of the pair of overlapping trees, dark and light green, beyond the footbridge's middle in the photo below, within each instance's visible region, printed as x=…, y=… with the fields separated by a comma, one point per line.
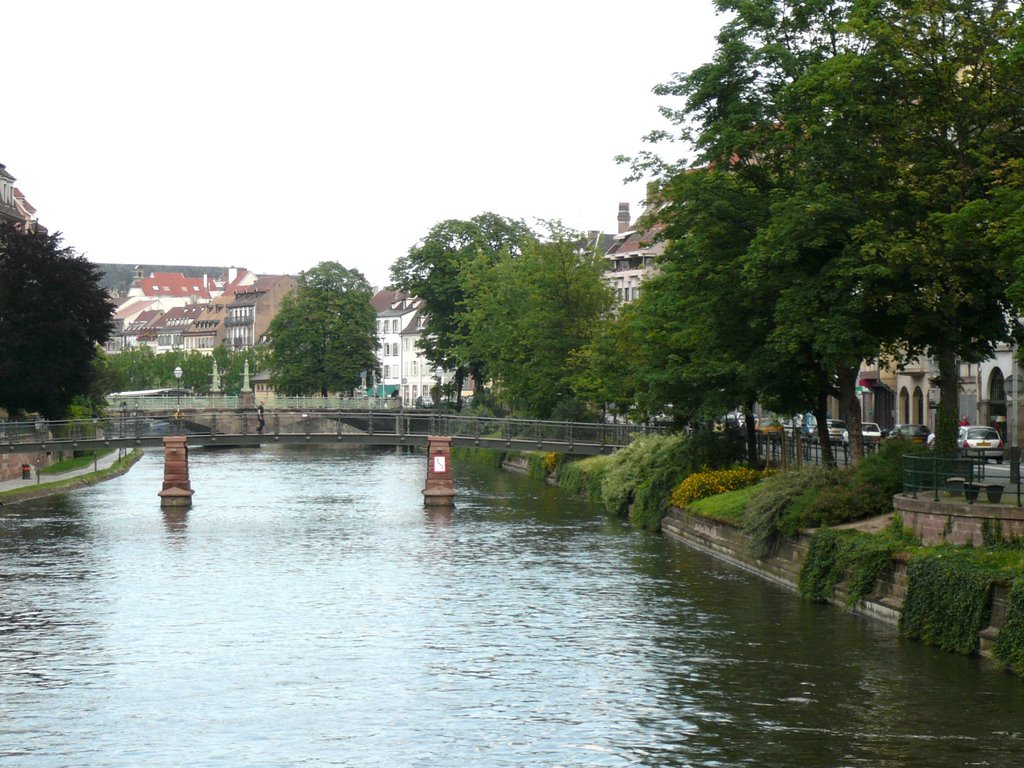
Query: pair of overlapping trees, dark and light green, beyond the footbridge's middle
x=509, y=307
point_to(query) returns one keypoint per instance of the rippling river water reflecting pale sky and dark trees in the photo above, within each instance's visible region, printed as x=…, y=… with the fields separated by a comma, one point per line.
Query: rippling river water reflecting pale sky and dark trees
x=309, y=612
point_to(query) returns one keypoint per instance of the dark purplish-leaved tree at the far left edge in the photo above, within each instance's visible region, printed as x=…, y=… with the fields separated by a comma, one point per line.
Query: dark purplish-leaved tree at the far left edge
x=54, y=313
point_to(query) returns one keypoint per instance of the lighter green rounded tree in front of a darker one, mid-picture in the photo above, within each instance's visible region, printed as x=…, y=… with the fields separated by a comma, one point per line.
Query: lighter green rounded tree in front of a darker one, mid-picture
x=529, y=316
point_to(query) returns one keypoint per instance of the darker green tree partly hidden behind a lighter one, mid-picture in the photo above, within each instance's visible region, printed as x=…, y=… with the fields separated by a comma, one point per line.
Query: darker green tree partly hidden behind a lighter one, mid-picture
x=434, y=271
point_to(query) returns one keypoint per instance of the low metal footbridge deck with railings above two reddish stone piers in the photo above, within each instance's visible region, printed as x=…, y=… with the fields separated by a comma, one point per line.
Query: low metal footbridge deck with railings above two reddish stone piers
x=238, y=429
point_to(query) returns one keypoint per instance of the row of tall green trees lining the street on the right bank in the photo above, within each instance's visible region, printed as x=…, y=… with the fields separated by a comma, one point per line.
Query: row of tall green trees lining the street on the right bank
x=857, y=196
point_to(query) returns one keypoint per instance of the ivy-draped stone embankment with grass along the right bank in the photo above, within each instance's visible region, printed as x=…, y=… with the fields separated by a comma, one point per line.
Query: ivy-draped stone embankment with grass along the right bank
x=969, y=601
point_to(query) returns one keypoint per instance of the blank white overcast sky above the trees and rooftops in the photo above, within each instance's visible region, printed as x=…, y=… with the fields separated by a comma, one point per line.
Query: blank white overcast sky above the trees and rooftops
x=277, y=136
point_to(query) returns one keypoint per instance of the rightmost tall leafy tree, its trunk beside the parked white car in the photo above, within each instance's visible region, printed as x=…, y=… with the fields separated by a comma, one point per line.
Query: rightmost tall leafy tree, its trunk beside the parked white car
x=959, y=114
